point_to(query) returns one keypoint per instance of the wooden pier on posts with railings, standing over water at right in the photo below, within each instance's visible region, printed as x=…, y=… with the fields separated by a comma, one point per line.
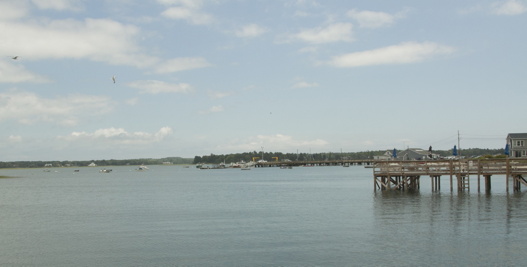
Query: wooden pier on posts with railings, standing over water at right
x=405, y=175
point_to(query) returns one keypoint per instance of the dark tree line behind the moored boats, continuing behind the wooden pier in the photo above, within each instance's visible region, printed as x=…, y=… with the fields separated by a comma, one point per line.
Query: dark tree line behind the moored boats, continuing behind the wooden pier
x=278, y=156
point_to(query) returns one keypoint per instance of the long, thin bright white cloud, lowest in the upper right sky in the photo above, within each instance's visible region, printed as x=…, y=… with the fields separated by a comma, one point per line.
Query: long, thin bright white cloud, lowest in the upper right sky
x=397, y=54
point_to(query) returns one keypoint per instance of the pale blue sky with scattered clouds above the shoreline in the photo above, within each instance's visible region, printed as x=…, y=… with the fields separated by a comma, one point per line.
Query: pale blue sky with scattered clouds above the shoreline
x=201, y=77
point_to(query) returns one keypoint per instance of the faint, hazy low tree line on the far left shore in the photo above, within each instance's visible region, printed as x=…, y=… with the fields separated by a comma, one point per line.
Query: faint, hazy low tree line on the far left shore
x=104, y=162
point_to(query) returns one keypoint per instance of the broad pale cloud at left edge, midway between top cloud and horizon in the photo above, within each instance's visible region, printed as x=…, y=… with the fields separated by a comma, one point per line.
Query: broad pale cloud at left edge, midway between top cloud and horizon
x=28, y=108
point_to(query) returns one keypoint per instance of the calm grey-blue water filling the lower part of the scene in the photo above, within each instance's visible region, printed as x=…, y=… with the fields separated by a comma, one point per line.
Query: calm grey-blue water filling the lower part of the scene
x=307, y=216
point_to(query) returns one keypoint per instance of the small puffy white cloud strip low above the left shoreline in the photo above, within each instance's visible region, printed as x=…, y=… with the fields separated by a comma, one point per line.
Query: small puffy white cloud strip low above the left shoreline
x=118, y=136
